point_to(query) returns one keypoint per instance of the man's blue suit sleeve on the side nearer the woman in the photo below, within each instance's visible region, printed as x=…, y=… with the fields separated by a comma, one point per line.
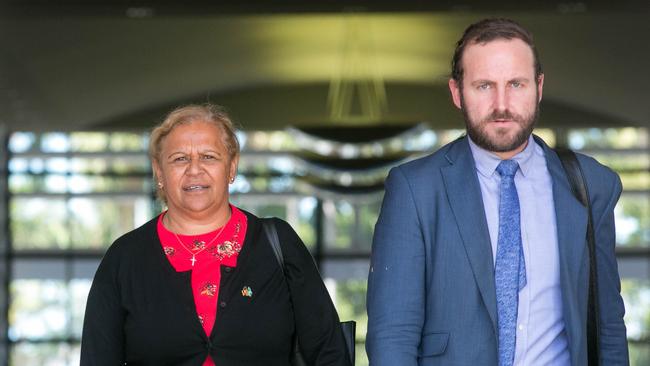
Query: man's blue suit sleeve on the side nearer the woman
x=396, y=288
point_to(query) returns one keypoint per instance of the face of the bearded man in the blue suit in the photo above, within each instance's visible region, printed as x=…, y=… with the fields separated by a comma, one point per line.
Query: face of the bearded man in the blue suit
x=499, y=97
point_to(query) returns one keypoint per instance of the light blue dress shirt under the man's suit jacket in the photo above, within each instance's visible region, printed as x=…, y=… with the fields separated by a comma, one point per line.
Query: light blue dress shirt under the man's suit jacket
x=541, y=337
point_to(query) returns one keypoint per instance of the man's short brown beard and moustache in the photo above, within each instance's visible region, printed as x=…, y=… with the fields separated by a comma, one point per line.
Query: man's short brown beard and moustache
x=501, y=142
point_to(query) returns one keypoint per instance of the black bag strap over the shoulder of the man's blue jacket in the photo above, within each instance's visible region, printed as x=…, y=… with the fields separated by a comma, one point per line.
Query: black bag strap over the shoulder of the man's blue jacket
x=579, y=188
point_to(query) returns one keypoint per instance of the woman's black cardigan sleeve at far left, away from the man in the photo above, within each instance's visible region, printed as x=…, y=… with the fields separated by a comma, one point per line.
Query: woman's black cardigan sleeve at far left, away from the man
x=102, y=340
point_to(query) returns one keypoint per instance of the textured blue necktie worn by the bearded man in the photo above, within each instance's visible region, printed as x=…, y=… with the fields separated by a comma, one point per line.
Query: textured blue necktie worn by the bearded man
x=510, y=269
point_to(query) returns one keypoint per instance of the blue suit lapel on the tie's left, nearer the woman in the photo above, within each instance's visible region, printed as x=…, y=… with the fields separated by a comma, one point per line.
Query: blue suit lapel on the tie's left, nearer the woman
x=464, y=194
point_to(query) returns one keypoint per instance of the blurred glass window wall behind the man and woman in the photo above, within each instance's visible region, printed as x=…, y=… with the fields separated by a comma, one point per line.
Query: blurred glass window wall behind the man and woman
x=79, y=191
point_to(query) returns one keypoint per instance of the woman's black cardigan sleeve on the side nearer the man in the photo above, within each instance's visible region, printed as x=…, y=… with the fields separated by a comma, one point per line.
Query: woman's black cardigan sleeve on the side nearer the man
x=318, y=327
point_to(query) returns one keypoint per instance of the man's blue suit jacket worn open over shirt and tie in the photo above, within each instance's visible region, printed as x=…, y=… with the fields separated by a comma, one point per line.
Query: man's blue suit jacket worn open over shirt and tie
x=431, y=293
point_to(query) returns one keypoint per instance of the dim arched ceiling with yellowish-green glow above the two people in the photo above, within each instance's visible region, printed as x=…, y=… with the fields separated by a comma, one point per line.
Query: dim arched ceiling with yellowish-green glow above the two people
x=89, y=69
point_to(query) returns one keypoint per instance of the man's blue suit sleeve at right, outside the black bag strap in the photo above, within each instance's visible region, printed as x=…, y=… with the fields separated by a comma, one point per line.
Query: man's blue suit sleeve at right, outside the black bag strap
x=613, y=341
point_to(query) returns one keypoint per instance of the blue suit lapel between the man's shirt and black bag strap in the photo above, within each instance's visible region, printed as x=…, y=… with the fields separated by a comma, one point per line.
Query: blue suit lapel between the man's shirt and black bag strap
x=571, y=220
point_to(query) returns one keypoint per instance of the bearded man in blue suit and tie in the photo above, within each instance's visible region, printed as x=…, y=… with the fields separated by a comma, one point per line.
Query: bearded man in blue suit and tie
x=479, y=255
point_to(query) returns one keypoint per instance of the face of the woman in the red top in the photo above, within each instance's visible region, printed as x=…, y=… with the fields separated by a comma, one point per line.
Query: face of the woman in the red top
x=195, y=170
